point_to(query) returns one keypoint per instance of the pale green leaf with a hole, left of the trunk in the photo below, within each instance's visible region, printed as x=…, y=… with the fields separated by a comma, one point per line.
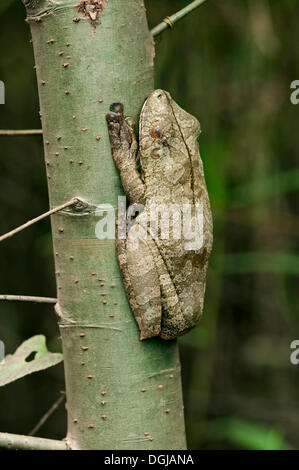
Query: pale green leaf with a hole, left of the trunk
x=31, y=356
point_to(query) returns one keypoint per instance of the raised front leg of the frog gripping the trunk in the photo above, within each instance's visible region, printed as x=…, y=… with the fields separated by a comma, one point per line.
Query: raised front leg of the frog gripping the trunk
x=124, y=149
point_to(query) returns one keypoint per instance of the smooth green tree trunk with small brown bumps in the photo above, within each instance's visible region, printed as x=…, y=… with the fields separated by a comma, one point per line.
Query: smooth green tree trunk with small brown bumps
x=121, y=393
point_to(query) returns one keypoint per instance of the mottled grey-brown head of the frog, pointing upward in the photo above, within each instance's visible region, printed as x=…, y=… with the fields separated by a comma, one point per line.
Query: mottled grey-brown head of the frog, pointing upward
x=164, y=125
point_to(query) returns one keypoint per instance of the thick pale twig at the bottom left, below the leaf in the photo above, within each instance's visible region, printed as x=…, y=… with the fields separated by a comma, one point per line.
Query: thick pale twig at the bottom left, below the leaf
x=18, y=442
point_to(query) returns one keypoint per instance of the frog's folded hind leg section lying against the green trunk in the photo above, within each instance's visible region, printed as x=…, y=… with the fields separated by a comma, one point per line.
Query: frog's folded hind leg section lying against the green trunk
x=141, y=281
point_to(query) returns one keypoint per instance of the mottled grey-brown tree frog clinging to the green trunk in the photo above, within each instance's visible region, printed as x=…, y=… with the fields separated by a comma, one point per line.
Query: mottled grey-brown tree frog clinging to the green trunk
x=164, y=276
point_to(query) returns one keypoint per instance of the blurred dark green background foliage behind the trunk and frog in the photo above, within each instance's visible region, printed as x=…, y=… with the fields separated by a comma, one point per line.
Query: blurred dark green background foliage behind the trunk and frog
x=230, y=63
